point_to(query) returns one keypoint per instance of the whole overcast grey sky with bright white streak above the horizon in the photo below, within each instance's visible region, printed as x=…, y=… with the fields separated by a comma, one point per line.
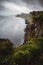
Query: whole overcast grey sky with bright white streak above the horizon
x=19, y=6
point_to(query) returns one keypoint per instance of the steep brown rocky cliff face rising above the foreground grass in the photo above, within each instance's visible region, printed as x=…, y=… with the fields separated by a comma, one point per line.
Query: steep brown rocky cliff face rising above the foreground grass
x=34, y=29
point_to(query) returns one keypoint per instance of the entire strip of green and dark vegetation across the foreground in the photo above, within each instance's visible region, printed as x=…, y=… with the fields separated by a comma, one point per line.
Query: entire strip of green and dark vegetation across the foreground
x=27, y=54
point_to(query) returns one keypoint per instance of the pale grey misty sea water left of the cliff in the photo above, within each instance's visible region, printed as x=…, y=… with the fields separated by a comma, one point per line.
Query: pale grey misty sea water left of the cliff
x=12, y=28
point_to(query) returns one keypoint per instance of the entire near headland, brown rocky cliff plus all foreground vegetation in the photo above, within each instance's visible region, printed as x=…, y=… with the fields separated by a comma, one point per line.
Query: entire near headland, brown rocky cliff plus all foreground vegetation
x=31, y=53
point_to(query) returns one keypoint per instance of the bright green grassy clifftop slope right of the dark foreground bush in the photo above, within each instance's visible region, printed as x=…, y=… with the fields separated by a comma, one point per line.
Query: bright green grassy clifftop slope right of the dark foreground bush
x=30, y=53
